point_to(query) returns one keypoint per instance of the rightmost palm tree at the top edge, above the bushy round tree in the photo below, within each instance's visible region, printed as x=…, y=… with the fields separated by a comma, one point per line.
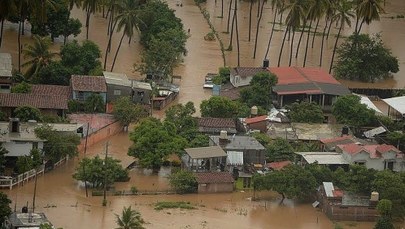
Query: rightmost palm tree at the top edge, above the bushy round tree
x=368, y=11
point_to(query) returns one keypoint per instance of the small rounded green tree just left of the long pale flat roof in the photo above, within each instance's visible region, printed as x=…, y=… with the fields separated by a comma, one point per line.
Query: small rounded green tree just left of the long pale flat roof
x=279, y=149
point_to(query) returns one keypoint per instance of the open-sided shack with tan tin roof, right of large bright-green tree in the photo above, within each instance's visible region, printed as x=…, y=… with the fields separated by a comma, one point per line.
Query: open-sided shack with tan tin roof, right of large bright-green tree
x=203, y=159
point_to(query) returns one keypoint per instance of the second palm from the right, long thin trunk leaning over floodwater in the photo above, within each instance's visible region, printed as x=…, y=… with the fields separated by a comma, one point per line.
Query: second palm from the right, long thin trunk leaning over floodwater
x=343, y=17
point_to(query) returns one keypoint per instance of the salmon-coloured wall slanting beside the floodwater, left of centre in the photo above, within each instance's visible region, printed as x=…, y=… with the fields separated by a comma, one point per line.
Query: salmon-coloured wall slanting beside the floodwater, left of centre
x=101, y=134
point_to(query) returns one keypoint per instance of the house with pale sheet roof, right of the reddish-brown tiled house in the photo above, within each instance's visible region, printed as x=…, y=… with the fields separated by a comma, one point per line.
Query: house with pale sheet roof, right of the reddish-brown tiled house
x=118, y=85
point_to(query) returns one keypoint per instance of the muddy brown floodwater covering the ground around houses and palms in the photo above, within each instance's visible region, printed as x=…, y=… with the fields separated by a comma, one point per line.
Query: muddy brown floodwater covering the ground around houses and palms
x=63, y=199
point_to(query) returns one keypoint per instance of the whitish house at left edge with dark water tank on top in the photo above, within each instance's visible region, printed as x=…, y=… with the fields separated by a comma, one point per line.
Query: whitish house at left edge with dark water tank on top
x=19, y=138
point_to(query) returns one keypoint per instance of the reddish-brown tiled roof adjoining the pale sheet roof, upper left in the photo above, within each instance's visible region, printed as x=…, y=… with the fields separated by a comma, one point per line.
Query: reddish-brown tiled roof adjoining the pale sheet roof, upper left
x=88, y=83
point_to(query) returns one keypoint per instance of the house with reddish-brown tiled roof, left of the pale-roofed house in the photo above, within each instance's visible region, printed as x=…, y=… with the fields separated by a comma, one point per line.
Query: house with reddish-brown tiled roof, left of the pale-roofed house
x=84, y=86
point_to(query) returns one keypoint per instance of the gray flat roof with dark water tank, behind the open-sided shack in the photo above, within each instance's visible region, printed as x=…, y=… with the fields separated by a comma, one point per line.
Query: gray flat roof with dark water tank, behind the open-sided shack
x=238, y=143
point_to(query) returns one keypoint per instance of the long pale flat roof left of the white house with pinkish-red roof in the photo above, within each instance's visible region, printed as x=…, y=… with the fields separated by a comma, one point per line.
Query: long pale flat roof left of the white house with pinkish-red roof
x=323, y=158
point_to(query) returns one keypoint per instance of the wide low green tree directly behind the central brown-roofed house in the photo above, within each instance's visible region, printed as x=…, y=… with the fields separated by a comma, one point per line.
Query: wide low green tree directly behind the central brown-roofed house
x=218, y=107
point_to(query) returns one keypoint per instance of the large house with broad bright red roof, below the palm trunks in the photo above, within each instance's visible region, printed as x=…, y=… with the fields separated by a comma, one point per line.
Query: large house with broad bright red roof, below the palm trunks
x=309, y=84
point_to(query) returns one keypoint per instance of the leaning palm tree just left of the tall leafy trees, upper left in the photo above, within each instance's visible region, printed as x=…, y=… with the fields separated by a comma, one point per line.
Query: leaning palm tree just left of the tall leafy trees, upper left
x=128, y=21
